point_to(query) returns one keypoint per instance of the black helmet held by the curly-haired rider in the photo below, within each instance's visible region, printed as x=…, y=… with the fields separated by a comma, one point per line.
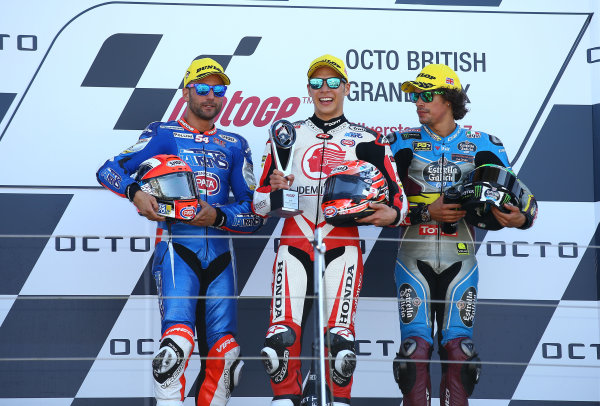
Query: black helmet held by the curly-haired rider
x=491, y=185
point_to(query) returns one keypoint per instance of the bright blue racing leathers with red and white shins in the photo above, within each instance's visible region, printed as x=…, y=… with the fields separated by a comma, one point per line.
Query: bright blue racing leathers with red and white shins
x=189, y=263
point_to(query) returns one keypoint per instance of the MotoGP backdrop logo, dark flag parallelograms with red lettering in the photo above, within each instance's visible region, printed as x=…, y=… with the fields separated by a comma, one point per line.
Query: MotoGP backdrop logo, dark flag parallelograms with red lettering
x=146, y=105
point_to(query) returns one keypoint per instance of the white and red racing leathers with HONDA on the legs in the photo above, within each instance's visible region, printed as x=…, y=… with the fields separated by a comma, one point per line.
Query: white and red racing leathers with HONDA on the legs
x=320, y=147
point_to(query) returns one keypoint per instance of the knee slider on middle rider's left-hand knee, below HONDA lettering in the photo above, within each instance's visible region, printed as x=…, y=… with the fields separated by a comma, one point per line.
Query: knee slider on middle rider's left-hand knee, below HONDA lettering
x=276, y=351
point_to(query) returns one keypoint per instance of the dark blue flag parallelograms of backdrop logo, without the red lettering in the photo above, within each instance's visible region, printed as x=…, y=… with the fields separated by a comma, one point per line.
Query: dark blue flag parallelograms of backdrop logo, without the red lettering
x=110, y=69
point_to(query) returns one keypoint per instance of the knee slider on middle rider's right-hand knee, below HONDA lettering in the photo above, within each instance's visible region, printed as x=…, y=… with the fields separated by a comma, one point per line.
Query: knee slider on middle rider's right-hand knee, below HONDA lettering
x=343, y=364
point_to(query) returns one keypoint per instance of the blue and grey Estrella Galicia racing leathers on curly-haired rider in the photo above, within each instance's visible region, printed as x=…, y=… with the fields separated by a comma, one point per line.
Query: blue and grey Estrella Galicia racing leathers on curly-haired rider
x=436, y=273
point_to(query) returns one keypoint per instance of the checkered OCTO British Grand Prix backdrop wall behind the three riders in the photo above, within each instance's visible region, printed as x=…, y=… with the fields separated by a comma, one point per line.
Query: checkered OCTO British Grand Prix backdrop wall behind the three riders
x=79, y=80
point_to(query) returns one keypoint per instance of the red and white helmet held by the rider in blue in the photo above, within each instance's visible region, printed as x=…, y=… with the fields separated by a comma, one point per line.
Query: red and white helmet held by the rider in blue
x=172, y=182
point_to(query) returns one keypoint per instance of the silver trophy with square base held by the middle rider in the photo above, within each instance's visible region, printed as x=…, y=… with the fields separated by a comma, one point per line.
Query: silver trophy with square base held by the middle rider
x=284, y=202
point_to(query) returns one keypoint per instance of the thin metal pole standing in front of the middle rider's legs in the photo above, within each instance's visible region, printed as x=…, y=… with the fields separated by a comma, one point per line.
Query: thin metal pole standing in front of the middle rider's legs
x=319, y=262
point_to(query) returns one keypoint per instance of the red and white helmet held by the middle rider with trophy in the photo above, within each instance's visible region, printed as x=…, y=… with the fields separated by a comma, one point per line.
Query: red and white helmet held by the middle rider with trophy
x=349, y=189
